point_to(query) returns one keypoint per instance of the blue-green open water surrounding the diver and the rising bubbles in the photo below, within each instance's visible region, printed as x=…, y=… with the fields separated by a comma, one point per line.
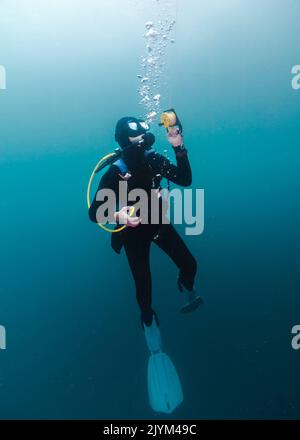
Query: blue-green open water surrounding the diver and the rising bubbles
x=75, y=347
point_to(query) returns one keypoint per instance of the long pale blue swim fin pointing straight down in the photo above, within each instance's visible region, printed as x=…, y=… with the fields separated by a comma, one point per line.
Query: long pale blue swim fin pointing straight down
x=164, y=387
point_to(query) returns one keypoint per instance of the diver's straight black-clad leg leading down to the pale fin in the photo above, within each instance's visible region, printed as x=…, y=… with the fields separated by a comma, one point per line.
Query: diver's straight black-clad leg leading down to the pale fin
x=137, y=248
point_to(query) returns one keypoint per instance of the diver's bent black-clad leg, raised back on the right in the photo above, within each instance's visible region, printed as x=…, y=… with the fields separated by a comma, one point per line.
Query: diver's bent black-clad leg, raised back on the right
x=173, y=245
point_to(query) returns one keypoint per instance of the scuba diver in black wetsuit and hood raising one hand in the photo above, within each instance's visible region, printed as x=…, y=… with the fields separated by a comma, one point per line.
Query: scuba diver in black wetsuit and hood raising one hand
x=143, y=168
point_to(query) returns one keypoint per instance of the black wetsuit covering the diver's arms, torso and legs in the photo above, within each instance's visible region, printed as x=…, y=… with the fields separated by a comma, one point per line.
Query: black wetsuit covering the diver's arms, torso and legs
x=147, y=175
